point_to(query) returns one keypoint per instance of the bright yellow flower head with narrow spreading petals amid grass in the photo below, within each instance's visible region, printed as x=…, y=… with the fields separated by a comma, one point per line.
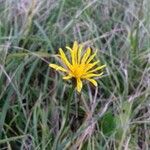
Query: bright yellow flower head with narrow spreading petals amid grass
x=80, y=67
